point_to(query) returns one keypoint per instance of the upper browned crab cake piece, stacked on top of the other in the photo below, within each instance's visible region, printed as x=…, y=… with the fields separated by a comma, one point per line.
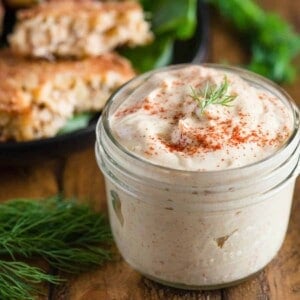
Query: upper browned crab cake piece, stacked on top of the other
x=79, y=29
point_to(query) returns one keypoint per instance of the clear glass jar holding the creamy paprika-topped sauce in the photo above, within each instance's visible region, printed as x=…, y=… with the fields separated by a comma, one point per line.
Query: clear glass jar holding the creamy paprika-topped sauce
x=198, y=230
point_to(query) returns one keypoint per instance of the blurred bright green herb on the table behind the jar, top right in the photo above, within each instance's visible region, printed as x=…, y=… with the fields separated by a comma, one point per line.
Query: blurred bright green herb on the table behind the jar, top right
x=273, y=42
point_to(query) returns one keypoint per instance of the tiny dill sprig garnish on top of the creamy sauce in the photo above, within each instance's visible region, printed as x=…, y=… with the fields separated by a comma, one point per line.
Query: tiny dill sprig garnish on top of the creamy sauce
x=213, y=94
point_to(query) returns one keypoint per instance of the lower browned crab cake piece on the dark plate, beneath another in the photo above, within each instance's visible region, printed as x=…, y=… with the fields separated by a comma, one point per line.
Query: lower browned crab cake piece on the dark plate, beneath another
x=37, y=97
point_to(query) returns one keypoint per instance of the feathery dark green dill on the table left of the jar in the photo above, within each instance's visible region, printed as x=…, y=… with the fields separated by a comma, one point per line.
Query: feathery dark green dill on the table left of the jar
x=64, y=233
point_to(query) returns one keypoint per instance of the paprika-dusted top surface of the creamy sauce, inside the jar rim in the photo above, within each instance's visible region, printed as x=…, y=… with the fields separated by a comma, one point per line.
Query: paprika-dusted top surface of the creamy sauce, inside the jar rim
x=161, y=122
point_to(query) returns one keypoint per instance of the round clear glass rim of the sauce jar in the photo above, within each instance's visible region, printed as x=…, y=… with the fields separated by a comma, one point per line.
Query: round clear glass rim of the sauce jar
x=246, y=75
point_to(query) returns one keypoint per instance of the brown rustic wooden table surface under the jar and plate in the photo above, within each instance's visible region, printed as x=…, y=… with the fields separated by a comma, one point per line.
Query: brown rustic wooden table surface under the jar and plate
x=78, y=175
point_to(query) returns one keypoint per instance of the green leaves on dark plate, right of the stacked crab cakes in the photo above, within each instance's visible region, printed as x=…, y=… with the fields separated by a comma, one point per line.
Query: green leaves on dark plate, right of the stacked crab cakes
x=170, y=20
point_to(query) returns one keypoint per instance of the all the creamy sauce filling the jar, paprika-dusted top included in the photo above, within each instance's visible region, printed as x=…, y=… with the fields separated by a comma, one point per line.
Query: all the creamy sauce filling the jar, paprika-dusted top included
x=193, y=232
